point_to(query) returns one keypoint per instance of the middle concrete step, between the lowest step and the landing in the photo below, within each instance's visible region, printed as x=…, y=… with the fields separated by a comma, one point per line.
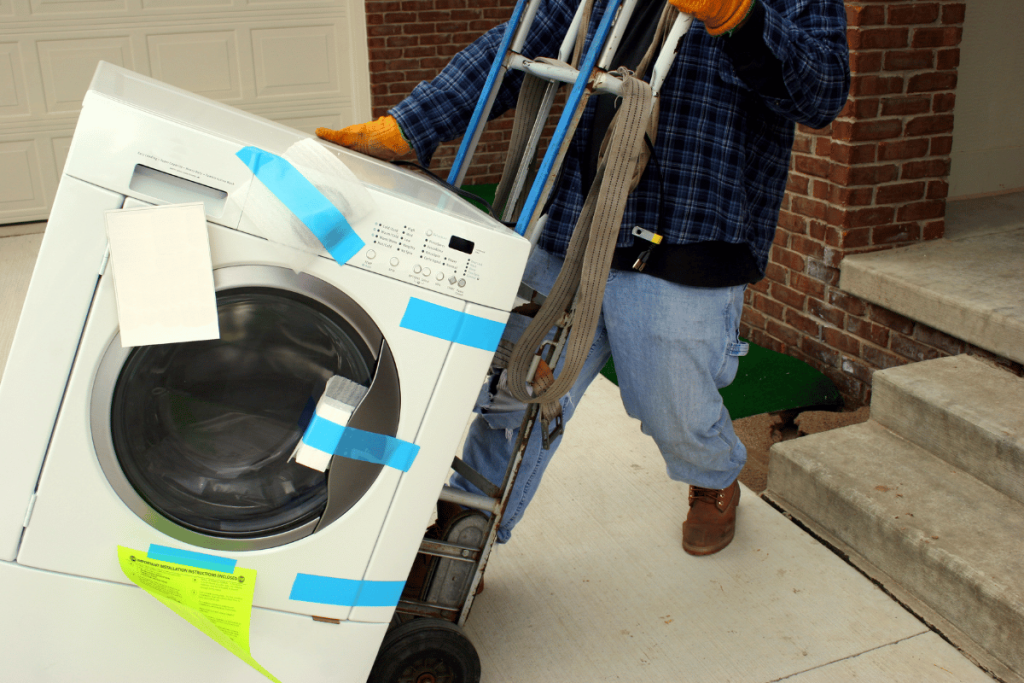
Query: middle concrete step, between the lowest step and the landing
x=962, y=410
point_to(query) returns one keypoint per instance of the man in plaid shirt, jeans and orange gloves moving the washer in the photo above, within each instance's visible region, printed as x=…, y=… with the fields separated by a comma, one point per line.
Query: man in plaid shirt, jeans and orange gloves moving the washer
x=746, y=73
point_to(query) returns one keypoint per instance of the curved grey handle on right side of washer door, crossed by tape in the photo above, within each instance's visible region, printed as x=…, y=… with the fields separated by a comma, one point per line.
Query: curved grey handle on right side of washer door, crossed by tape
x=377, y=413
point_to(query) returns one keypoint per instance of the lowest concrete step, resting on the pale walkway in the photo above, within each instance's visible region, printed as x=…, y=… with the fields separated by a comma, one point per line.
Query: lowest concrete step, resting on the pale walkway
x=923, y=528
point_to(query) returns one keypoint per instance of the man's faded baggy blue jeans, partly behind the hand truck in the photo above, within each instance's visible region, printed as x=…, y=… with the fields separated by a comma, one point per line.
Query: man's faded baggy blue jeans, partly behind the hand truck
x=675, y=347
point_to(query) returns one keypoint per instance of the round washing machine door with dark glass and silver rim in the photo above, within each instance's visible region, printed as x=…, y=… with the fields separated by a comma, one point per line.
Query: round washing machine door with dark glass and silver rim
x=198, y=438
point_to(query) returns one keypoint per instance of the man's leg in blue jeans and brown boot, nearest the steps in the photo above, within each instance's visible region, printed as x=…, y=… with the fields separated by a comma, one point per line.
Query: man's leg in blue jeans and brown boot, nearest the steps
x=675, y=348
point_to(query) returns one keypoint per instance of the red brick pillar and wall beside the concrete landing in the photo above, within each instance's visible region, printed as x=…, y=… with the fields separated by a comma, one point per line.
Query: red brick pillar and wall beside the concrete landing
x=875, y=180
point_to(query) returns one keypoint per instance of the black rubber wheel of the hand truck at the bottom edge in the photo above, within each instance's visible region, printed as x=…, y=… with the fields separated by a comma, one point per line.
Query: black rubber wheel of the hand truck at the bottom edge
x=426, y=651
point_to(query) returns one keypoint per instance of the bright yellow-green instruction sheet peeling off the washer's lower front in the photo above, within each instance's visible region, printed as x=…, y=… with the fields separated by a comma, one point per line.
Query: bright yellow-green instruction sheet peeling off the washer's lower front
x=218, y=604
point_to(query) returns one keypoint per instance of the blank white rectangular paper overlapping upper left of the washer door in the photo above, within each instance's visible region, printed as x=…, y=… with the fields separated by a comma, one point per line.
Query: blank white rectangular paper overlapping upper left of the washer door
x=163, y=275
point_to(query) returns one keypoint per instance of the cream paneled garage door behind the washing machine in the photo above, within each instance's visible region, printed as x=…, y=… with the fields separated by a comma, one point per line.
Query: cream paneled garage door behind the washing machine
x=303, y=63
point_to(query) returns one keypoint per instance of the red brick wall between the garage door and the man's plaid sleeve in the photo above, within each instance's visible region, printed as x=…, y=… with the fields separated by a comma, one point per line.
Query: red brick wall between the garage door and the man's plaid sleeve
x=411, y=41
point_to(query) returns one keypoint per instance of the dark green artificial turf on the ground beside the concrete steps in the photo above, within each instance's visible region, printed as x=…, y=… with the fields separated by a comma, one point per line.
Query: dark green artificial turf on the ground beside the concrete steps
x=769, y=381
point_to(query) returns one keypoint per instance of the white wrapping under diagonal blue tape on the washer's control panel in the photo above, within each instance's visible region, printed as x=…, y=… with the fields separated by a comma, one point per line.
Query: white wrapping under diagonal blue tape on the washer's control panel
x=265, y=216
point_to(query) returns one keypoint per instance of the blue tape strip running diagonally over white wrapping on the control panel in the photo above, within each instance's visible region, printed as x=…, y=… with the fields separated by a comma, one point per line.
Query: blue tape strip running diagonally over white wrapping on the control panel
x=303, y=199
